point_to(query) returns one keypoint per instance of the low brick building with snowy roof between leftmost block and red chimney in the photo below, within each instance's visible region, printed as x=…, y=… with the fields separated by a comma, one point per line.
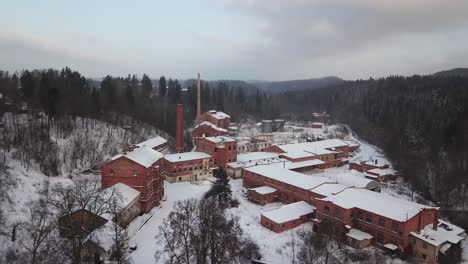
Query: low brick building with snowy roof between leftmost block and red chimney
x=188, y=166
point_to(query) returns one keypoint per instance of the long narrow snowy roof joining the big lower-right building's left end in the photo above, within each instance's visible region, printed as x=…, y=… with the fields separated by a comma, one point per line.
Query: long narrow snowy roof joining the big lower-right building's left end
x=293, y=178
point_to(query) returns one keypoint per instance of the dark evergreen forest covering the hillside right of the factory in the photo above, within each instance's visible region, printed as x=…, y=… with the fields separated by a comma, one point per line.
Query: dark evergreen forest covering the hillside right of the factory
x=421, y=122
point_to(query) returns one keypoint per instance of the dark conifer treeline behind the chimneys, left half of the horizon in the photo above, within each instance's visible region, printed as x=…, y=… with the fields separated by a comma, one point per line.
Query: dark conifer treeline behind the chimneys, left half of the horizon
x=67, y=92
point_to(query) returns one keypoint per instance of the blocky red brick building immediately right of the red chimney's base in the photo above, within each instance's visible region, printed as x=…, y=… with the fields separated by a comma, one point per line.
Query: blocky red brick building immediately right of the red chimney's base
x=222, y=150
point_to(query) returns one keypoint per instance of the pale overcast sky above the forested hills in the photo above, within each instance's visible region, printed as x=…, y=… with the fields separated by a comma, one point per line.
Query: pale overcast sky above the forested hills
x=236, y=39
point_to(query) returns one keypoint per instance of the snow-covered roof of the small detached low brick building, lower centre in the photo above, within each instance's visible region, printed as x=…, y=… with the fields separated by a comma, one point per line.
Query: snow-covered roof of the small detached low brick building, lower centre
x=288, y=212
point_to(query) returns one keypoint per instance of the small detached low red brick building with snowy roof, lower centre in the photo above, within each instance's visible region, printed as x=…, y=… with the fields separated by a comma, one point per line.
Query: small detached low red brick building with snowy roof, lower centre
x=287, y=216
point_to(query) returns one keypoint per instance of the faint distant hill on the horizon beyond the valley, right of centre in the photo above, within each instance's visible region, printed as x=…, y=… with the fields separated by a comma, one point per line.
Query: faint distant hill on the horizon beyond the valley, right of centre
x=297, y=85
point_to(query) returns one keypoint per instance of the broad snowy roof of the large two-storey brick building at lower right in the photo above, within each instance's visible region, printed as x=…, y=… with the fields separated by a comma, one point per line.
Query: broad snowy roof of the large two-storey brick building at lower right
x=378, y=203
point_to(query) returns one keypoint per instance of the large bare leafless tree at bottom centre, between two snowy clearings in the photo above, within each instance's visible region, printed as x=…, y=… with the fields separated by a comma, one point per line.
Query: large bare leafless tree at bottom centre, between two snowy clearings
x=201, y=232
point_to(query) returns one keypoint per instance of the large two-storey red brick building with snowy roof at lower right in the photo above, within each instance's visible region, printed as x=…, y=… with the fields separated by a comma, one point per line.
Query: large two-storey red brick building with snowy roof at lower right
x=388, y=220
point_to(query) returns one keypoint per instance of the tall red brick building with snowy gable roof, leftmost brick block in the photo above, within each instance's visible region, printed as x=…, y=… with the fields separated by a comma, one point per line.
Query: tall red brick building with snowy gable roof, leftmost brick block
x=139, y=169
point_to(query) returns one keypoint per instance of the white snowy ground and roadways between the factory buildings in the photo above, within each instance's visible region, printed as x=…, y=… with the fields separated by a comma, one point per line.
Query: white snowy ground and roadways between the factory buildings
x=272, y=245
